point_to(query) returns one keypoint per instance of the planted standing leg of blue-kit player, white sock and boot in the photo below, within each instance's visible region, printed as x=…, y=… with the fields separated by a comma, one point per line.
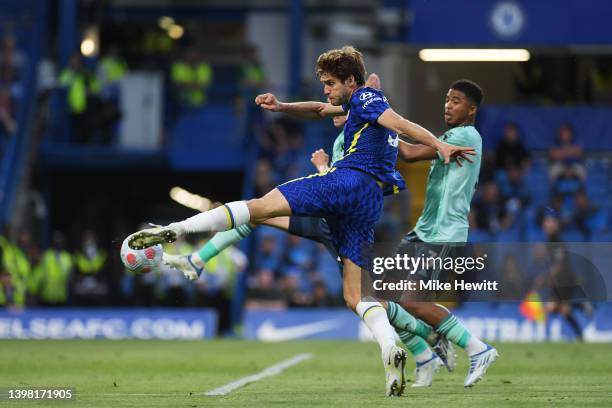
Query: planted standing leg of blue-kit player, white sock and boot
x=374, y=316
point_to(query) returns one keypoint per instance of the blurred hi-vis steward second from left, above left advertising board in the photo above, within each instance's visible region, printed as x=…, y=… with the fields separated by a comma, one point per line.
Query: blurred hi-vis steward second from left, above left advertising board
x=54, y=273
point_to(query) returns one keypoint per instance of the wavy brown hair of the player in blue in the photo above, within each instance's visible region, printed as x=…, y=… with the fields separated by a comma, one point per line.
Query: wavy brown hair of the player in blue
x=342, y=63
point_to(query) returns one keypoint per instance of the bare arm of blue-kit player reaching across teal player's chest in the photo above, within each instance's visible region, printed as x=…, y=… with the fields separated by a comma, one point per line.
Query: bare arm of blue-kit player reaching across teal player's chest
x=391, y=120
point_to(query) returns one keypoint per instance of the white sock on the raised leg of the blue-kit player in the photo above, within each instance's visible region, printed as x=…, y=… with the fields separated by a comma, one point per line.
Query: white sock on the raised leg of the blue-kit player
x=227, y=216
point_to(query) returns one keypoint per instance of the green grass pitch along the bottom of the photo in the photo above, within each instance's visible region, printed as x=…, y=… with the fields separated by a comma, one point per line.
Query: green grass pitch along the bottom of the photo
x=164, y=374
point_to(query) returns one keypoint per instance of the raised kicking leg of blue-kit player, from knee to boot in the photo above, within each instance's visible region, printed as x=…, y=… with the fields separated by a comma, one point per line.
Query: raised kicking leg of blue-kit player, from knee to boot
x=225, y=217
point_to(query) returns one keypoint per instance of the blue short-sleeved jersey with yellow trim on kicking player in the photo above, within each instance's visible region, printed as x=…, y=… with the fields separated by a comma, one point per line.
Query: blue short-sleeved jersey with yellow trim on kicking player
x=368, y=146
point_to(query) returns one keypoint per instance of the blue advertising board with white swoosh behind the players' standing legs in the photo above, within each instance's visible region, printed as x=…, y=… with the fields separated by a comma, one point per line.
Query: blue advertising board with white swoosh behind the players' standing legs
x=493, y=322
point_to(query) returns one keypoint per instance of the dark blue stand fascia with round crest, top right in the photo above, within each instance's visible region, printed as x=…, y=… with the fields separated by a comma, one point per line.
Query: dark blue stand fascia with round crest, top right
x=527, y=22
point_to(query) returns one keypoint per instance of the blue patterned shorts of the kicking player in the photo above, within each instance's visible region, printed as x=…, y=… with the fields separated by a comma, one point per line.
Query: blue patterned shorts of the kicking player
x=351, y=201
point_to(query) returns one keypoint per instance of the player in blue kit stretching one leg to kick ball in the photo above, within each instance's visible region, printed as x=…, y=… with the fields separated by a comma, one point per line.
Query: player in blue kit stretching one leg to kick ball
x=349, y=195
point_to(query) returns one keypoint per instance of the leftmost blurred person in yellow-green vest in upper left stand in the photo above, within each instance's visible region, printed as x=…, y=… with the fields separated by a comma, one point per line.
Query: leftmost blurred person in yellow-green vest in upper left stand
x=81, y=85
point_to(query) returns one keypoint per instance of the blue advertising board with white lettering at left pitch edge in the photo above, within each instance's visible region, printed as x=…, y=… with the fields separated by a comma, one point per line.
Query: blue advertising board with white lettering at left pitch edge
x=115, y=324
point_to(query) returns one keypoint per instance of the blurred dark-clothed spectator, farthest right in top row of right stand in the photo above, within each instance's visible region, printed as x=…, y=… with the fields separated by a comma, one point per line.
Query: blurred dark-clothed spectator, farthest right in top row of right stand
x=567, y=153
